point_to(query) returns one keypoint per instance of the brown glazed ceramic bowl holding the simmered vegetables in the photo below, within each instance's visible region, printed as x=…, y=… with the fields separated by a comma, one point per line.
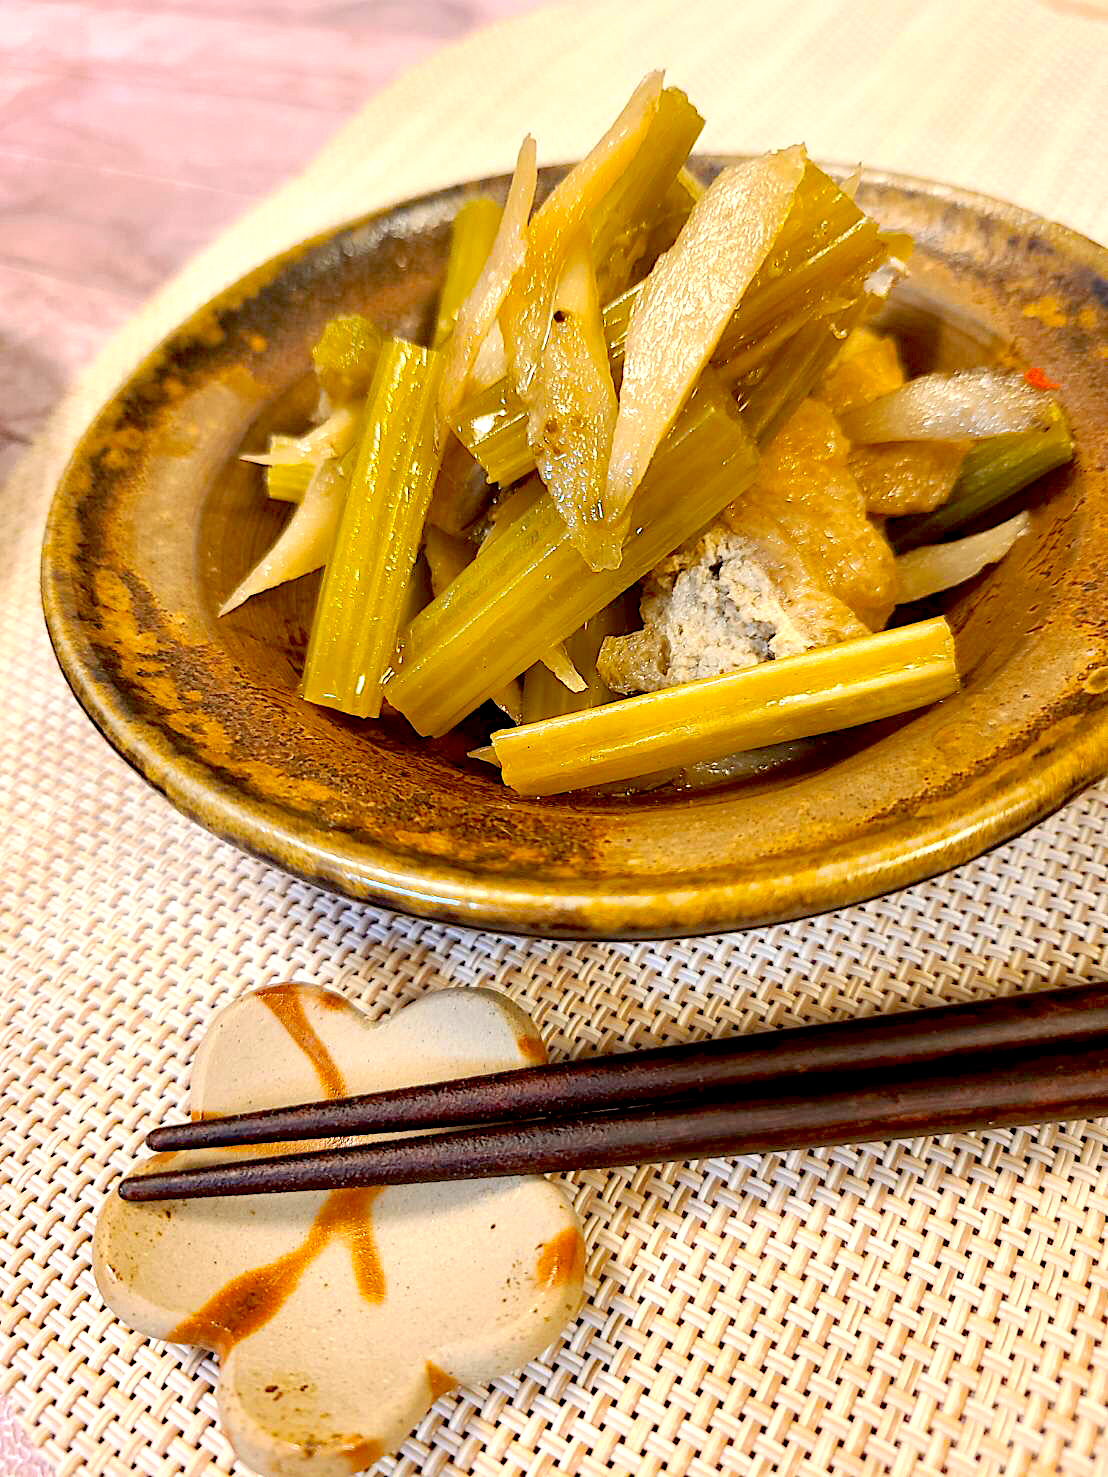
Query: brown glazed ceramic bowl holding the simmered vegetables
x=156, y=521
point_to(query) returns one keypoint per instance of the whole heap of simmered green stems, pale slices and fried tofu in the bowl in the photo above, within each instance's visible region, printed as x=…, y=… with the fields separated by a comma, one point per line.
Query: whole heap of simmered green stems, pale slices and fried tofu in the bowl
x=658, y=487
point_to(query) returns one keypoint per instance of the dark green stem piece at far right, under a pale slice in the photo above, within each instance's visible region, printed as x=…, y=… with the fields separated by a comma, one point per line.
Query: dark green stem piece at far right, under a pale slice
x=994, y=472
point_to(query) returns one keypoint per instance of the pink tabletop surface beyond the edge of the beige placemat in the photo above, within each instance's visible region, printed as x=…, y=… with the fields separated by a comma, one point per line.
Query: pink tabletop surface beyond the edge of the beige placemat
x=132, y=132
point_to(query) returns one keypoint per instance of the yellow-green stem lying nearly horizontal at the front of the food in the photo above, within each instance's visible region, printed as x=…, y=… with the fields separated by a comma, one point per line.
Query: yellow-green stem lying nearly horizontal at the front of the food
x=796, y=698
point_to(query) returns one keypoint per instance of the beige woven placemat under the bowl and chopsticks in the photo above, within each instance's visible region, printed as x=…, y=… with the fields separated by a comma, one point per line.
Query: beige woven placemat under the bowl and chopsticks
x=917, y=1308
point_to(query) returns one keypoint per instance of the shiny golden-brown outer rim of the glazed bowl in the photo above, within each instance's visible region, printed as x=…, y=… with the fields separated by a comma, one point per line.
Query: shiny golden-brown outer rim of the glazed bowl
x=507, y=903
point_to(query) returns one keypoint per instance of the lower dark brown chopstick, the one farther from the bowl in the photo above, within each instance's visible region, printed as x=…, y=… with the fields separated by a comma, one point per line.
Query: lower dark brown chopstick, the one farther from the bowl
x=1002, y=1092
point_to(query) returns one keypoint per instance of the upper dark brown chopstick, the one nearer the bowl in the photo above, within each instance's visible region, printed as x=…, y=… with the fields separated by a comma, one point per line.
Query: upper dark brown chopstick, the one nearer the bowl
x=1047, y=1020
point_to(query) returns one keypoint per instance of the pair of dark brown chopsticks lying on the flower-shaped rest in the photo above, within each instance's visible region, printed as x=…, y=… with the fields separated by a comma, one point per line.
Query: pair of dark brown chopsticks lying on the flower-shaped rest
x=1030, y=1058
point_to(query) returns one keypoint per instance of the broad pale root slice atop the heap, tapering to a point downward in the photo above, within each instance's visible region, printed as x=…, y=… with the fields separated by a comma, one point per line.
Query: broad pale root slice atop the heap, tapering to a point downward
x=688, y=302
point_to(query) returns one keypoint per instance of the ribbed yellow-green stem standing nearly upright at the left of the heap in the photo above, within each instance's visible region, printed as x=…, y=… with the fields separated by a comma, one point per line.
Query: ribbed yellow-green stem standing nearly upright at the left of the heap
x=363, y=599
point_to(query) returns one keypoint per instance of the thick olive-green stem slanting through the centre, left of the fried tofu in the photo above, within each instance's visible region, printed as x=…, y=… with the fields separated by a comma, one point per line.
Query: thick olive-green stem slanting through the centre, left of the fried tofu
x=531, y=589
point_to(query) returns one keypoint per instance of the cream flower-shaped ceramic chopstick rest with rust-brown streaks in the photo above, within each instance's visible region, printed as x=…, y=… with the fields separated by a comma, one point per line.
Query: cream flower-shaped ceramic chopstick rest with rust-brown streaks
x=342, y=1317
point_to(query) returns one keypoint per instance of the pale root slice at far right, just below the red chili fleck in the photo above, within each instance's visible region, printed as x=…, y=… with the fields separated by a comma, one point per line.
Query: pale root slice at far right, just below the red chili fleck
x=951, y=407
